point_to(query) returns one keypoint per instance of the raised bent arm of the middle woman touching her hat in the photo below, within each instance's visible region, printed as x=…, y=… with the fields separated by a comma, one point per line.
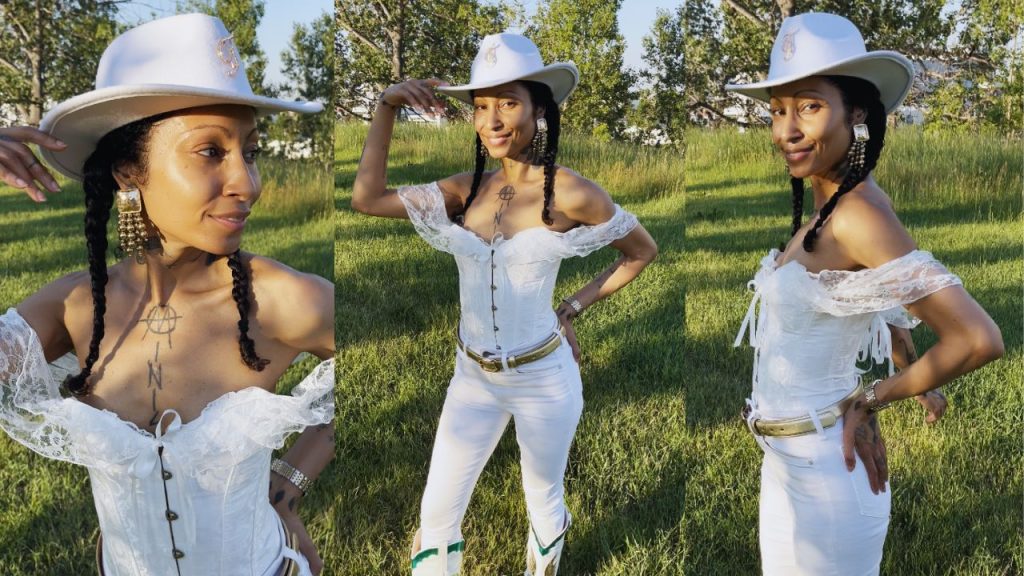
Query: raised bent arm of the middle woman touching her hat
x=370, y=193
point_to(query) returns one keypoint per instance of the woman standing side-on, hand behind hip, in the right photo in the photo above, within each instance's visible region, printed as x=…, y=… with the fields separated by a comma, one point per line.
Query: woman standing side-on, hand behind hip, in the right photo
x=827, y=298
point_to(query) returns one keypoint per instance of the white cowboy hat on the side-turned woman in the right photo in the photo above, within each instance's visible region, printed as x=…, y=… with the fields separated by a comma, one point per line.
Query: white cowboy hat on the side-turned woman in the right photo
x=821, y=45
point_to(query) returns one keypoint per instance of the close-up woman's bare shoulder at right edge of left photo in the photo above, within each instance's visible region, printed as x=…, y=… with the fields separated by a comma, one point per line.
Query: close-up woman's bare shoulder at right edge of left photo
x=291, y=305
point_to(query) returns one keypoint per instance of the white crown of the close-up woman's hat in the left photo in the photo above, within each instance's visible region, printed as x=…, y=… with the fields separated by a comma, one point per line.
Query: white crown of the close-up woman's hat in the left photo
x=192, y=51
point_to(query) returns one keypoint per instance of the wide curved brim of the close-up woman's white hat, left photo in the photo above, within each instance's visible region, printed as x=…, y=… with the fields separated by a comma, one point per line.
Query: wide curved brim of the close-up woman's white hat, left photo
x=81, y=122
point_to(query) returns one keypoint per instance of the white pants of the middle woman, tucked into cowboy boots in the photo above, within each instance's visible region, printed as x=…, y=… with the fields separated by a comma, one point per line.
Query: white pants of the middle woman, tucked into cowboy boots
x=545, y=398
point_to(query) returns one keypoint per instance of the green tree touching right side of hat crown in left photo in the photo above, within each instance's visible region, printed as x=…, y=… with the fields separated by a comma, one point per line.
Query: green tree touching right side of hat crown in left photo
x=242, y=18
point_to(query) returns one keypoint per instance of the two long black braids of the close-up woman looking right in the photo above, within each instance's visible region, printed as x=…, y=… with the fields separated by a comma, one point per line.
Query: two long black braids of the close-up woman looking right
x=127, y=146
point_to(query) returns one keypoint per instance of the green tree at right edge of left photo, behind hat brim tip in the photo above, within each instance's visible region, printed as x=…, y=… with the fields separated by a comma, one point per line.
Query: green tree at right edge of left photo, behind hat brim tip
x=309, y=65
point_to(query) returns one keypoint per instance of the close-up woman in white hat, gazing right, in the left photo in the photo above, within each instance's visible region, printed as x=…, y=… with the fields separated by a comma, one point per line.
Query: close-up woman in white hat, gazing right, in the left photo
x=181, y=343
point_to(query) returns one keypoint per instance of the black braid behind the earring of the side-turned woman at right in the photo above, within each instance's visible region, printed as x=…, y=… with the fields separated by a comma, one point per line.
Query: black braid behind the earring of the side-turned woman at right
x=864, y=95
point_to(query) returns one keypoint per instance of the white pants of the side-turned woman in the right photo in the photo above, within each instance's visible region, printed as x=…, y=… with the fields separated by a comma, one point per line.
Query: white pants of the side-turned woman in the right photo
x=817, y=518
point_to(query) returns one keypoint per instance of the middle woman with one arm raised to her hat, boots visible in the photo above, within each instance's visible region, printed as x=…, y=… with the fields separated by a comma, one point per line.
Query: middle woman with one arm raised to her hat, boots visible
x=508, y=230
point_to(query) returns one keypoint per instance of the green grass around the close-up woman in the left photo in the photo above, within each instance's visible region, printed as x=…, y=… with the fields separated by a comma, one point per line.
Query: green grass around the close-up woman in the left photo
x=48, y=521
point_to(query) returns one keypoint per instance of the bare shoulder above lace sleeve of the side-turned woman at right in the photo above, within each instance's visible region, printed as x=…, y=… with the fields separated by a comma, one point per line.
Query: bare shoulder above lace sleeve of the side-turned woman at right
x=867, y=227
